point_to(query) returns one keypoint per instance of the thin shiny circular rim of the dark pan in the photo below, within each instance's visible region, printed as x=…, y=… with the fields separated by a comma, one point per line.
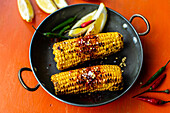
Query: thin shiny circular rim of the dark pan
x=87, y=105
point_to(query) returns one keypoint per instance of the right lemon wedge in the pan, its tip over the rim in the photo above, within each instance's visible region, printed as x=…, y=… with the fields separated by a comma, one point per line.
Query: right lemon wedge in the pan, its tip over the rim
x=100, y=17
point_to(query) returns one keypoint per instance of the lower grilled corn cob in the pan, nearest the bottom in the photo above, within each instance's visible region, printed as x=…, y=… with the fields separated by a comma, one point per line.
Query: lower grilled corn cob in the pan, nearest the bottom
x=90, y=79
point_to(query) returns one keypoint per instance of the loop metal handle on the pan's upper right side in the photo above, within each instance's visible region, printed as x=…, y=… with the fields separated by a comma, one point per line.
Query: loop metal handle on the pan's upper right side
x=145, y=20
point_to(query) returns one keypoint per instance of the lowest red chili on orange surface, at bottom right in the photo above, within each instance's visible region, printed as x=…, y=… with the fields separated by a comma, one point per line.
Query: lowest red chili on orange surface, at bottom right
x=152, y=100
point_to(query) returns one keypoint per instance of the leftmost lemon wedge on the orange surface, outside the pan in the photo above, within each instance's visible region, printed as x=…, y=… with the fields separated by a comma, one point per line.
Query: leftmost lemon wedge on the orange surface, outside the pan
x=25, y=9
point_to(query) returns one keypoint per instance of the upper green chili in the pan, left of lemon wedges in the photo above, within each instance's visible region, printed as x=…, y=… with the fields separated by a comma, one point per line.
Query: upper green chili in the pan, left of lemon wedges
x=68, y=21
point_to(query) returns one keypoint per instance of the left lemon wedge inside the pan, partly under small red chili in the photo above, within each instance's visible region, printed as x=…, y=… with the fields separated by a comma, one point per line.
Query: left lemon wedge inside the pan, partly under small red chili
x=79, y=31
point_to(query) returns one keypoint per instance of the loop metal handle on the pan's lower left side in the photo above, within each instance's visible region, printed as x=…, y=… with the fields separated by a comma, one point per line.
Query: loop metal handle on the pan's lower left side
x=22, y=82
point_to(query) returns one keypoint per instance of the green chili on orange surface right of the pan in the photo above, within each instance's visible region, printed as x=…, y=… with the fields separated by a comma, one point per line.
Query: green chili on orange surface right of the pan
x=157, y=74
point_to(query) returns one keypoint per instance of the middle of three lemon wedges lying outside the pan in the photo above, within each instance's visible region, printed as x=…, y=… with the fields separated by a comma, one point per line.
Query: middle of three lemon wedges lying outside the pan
x=47, y=6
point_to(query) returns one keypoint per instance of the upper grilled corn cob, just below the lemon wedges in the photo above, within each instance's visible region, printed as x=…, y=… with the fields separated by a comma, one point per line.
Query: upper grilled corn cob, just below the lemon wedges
x=72, y=52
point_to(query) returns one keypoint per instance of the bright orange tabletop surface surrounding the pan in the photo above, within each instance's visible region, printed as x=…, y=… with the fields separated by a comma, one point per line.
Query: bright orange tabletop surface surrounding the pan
x=15, y=37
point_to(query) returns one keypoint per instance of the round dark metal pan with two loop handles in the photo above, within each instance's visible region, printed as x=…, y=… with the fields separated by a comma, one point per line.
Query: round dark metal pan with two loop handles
x=43, y=65
